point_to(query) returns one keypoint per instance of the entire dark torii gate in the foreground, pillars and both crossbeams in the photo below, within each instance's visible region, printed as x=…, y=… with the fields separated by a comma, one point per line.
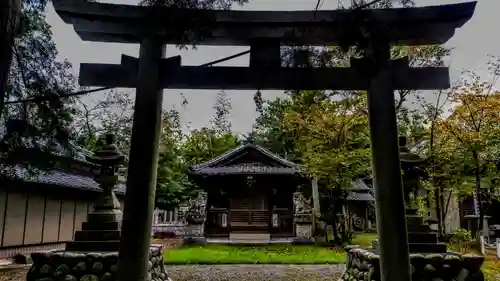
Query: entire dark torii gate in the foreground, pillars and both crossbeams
x=264, y=32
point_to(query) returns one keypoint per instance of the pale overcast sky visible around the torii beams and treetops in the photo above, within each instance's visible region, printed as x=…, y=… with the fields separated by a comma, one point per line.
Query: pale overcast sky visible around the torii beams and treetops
x=471, y=45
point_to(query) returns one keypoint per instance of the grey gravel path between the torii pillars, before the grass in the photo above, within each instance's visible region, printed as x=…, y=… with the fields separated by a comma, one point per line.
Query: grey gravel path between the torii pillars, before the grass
x=255, y=272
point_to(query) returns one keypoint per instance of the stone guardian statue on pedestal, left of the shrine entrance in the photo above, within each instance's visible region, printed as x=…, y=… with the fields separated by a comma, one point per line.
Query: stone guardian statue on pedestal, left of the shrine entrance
x=196, y=217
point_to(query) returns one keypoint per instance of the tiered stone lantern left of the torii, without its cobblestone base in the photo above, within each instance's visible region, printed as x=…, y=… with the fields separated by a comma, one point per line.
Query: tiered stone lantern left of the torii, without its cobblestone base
x=101, y=231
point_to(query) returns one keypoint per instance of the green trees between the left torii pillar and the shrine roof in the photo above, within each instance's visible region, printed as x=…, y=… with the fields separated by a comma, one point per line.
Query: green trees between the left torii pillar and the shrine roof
x=179, y=150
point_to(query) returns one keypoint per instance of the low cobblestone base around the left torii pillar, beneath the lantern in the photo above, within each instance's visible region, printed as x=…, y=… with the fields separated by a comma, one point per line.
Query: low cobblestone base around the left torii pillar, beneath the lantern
x=88, y=266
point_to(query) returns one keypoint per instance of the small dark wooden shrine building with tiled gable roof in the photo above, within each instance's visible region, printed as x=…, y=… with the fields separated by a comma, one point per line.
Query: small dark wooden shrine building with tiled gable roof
x=250, y=191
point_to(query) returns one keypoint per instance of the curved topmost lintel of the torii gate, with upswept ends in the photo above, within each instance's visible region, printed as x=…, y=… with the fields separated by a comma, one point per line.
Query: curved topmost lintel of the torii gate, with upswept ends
x=130, y=24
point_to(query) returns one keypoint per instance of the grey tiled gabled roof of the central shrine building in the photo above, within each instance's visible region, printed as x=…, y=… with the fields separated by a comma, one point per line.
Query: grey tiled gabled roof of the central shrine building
x=239, y=161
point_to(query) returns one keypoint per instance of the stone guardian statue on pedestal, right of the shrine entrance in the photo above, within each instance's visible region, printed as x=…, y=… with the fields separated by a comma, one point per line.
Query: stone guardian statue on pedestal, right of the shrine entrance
x=303, y=219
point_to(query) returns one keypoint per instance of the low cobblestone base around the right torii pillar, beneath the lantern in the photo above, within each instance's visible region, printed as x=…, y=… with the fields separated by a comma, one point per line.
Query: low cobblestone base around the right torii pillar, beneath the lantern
x=363, y=265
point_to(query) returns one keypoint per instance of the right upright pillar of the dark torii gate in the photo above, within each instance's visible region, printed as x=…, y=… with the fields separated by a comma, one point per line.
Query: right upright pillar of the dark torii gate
x=390, y=211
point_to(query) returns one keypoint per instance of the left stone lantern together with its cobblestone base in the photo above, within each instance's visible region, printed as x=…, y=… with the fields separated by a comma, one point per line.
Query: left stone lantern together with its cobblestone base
x=93, y=255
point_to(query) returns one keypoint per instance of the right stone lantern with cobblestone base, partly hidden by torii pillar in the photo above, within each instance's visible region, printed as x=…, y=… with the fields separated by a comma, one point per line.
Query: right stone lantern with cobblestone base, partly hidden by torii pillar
x=429, y=259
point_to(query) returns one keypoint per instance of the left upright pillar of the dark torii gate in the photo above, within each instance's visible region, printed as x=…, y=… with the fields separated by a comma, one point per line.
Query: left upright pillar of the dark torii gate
x=141, y=179
